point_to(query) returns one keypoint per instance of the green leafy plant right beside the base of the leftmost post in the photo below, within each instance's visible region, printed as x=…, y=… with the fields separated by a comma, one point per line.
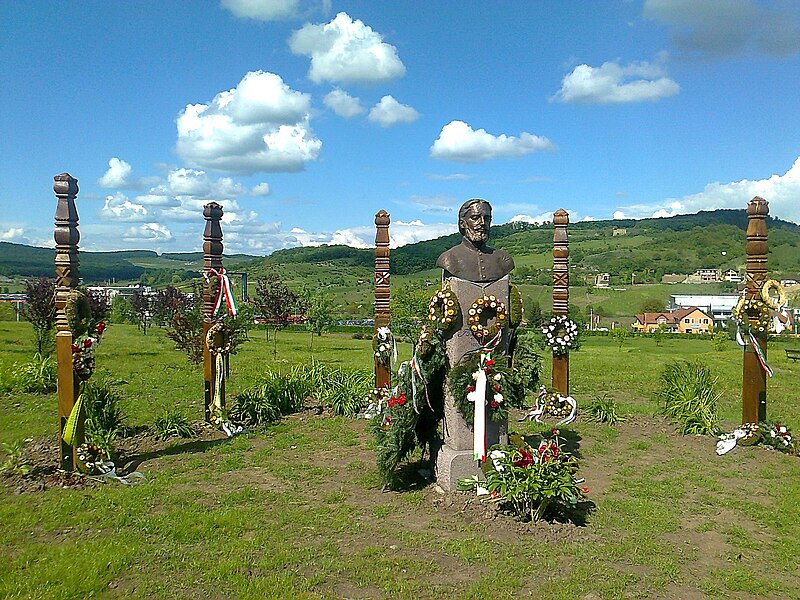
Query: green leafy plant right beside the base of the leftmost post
x=105, y=416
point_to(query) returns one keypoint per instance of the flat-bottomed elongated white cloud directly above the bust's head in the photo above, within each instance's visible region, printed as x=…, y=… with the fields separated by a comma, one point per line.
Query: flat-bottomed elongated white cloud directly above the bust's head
x=459, y=142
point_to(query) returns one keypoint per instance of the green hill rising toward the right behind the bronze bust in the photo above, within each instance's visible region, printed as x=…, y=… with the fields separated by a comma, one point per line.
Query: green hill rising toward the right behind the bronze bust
x=680, y=244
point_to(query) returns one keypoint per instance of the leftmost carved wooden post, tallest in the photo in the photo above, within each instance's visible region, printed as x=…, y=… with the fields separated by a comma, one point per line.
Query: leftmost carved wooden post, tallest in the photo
x=67, y=277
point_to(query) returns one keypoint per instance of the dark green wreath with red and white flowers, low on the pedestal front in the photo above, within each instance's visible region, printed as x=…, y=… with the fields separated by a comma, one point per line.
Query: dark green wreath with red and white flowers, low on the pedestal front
x=503, y=388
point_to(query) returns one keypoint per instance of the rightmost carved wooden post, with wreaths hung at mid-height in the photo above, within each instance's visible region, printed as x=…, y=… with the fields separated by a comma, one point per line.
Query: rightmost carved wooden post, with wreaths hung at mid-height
x=754, y=379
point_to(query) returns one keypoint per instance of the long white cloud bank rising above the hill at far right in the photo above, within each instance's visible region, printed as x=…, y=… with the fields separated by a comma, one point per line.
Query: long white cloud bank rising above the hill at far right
x=781, y=191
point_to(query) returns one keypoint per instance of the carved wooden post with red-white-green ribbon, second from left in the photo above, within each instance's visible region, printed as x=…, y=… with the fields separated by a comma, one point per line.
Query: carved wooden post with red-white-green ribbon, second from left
x=212, y=259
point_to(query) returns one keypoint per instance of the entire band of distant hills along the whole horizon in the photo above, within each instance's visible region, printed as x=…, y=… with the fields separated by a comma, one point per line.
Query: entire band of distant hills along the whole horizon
x=648, y=248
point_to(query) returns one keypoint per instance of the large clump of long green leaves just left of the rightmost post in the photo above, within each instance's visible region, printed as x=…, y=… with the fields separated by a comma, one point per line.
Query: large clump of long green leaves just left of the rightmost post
x=688, y=395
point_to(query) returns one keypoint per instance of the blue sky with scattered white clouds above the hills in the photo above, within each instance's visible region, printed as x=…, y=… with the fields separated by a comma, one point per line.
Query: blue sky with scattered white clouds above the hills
x=304, y=118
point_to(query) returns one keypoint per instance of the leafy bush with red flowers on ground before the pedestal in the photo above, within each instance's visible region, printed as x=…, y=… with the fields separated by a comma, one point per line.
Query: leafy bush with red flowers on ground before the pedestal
x=529, y=481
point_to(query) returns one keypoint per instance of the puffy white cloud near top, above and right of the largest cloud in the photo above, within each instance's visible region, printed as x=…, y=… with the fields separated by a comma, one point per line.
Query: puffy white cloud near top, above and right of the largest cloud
x=346, y=51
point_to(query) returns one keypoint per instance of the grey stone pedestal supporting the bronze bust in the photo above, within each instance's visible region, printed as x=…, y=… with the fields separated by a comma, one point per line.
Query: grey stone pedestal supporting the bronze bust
x=454, y=459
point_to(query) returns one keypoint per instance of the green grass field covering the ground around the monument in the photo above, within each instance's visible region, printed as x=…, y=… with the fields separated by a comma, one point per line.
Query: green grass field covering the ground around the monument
x=295, y=510
